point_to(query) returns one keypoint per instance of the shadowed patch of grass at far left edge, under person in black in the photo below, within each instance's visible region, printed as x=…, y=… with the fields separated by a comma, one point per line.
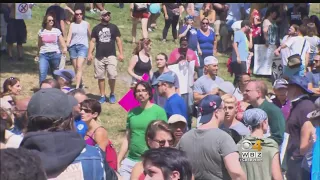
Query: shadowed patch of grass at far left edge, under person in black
x=28, y=66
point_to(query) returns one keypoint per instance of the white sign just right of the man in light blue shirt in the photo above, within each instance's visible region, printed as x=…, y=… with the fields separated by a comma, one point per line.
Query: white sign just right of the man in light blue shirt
x=263, y=58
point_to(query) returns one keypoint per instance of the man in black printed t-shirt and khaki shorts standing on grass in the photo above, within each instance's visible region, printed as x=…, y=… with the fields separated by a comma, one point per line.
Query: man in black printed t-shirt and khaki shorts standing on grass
x=104, y=36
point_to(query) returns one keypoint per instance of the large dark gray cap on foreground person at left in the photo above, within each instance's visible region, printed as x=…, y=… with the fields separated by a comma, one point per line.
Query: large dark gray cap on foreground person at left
x=51, y=103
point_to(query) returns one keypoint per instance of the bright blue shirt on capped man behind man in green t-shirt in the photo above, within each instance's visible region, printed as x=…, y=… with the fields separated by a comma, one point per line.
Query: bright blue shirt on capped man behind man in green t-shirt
x=175, y=105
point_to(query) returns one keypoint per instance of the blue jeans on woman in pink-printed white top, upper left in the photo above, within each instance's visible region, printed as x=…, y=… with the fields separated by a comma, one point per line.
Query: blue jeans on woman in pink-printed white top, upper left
x=46, y=60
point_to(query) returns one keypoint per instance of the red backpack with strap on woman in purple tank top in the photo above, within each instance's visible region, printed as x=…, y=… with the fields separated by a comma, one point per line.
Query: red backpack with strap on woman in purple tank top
x=111, y=154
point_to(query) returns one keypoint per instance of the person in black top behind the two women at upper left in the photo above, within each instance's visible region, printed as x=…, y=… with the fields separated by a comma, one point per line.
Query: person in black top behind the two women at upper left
x=60, y=17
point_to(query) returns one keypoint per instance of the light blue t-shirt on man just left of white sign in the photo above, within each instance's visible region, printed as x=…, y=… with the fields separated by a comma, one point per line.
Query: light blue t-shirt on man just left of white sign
x=241, y=39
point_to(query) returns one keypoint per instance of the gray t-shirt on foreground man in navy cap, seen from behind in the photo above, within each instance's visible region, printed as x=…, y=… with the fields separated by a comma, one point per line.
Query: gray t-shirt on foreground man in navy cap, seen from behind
x=206, y=149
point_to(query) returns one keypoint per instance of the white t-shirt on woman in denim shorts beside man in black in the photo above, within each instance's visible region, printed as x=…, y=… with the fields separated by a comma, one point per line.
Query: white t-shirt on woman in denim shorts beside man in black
x=79, y=33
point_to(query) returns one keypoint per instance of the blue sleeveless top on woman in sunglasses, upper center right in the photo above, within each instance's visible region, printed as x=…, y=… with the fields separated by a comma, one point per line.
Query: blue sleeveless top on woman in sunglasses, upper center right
x=206, y=43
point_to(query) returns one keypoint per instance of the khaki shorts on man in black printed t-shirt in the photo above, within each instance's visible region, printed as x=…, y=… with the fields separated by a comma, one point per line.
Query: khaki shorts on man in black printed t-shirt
x=106, y=64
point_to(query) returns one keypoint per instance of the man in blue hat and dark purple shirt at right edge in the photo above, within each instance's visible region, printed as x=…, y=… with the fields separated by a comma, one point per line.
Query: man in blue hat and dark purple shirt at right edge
x=301, y=105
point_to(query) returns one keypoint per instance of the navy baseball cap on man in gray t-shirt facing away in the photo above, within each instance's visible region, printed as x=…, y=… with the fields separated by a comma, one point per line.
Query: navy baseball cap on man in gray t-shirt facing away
x=208, y=106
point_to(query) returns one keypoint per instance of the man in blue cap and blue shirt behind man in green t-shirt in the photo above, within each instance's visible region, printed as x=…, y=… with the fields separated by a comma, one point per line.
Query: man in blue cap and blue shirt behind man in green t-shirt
x=175, y=104
